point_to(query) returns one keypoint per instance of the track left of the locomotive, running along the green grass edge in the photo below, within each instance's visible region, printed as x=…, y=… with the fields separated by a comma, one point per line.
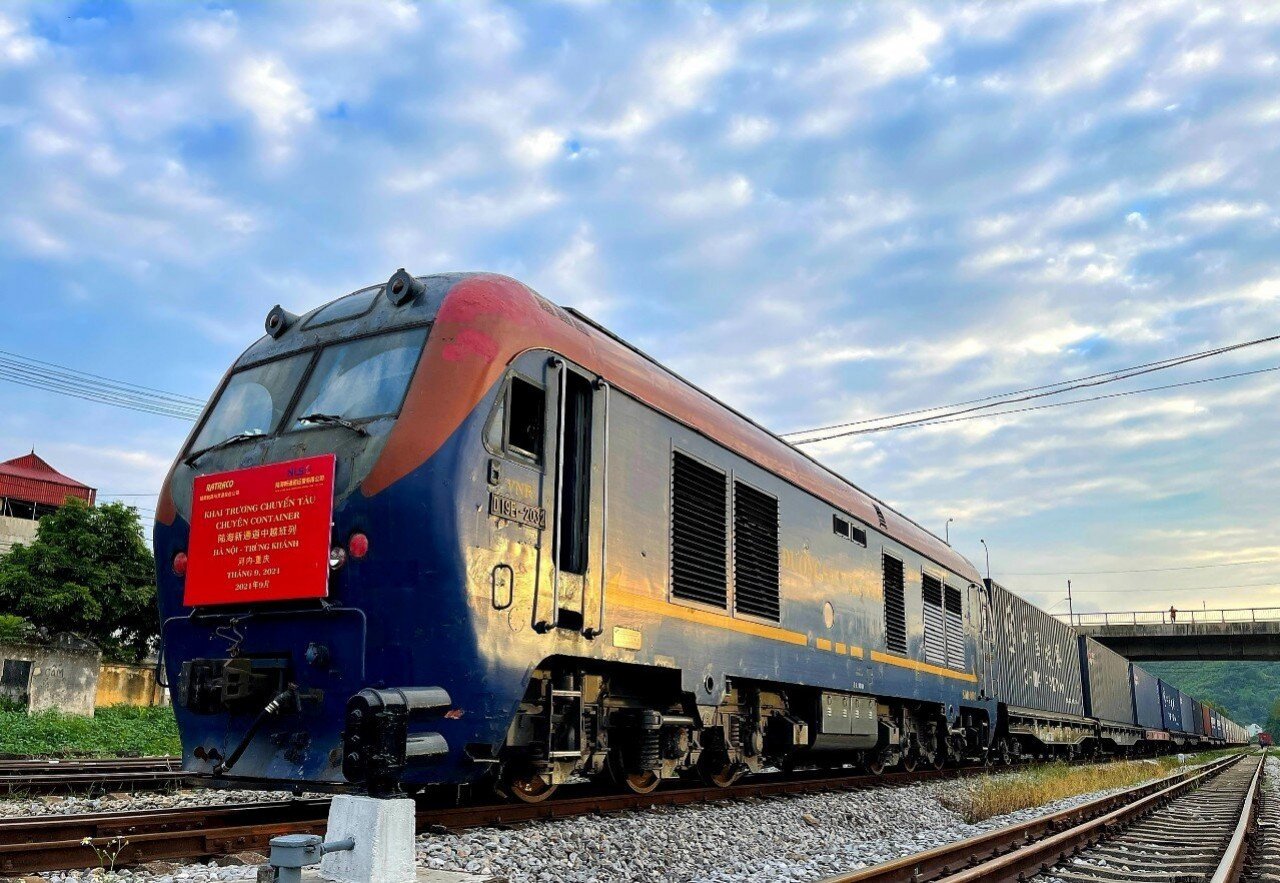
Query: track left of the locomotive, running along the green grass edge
x=79, y=776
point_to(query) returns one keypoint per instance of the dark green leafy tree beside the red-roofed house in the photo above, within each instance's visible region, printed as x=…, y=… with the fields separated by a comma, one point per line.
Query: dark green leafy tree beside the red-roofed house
x=89, y=573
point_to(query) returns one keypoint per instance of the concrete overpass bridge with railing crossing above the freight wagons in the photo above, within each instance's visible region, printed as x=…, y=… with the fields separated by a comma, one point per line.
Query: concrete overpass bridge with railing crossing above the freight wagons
x=1249, y=634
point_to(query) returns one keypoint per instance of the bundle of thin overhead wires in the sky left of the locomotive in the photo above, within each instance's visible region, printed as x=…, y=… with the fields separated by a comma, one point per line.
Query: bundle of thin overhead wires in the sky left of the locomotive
x=63, y=381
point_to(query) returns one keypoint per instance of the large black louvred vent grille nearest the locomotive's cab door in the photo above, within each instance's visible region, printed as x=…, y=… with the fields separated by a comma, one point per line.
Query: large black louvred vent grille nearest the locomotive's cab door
x=700, y=536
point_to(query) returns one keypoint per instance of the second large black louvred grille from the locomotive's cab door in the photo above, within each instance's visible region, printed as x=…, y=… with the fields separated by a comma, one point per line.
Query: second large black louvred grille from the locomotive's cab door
x=756, y=552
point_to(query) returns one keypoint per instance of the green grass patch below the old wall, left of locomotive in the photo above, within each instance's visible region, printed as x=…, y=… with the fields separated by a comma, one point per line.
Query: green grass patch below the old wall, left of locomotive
x=112, y=733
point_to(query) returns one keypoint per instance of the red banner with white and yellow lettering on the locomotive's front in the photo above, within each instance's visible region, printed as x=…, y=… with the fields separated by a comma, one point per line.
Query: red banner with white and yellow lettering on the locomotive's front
x=262, y=534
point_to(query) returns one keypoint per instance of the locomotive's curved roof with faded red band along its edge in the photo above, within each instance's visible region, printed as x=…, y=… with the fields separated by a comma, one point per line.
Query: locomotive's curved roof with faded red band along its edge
x=490, y=319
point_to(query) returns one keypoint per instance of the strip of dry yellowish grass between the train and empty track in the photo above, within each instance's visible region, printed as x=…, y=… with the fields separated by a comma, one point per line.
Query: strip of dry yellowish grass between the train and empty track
x=990, y=797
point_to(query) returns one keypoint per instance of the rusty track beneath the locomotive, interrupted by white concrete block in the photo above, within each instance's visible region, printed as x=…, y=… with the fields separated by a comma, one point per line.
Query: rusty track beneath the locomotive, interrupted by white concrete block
x=57, y=843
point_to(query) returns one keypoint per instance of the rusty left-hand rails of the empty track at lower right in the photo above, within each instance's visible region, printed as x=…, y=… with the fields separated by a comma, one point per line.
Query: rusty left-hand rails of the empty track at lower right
x=1021, y=852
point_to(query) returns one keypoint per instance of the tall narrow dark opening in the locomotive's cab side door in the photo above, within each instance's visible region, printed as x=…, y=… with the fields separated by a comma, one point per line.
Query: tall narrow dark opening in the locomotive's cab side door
x=575, y=502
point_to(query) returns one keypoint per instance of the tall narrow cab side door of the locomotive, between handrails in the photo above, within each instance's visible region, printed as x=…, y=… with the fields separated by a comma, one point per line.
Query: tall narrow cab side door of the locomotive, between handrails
x=578, y=513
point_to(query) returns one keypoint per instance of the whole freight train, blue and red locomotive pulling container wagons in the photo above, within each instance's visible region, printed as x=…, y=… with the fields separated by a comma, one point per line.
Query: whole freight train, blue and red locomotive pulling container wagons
x=442, y=532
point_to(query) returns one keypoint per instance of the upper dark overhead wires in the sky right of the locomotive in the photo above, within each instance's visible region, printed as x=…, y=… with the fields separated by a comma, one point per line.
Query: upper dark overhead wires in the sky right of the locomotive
x=1016, y=396
